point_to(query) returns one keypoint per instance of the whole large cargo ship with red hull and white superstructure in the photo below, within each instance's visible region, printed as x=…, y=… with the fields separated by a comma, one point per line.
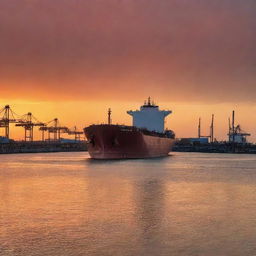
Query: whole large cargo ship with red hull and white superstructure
x=146, y=138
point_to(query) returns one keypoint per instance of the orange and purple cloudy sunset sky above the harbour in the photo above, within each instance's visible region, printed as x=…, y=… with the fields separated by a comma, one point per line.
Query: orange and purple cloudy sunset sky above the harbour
x=73, y=59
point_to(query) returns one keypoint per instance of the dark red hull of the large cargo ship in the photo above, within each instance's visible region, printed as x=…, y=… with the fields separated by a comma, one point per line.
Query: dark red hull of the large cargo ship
x=125, y=142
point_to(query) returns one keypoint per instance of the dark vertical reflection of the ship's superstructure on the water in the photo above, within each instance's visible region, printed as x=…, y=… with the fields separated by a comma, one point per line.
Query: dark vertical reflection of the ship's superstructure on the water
x=149, y=196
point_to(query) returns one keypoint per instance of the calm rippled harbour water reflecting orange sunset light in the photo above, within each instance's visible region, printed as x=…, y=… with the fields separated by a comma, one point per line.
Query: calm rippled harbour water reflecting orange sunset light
x=184, y=204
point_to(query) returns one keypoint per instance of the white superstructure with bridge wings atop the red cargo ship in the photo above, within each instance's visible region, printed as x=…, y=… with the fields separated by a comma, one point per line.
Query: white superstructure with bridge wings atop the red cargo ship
x=149, y=116
